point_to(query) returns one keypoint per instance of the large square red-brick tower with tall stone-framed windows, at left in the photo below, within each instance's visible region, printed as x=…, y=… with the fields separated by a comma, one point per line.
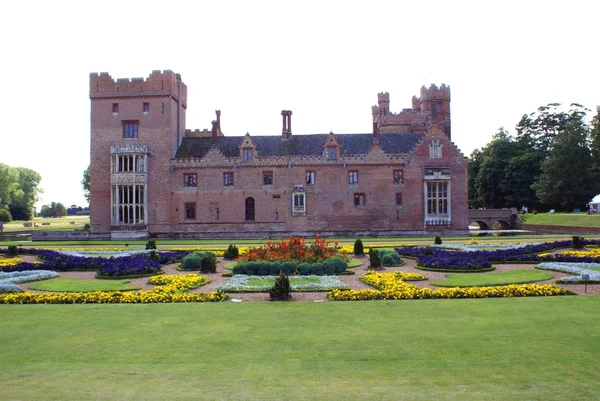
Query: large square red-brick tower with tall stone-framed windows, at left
x=136, y=127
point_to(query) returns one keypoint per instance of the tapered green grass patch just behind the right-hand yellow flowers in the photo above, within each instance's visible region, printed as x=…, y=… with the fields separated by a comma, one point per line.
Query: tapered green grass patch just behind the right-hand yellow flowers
x=490, y=279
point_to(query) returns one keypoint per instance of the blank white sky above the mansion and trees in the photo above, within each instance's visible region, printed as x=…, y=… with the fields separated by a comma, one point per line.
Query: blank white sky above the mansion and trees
x=324, y=60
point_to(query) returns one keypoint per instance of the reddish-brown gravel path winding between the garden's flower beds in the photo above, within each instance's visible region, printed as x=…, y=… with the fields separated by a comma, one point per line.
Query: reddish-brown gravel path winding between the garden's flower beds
x=353, y=281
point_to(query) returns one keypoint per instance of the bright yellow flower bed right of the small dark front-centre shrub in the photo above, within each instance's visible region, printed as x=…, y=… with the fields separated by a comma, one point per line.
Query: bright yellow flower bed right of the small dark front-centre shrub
x=391, y=286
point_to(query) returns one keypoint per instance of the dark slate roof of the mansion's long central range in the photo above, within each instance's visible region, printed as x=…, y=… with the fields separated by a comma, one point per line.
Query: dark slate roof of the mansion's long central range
x=299, y=145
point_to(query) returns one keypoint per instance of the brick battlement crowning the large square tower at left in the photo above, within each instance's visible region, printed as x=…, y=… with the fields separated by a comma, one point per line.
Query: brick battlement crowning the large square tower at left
x=158, y=83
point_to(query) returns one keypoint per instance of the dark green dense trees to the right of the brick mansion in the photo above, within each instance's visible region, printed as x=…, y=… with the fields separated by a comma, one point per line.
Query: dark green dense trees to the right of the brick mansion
x=552, y=162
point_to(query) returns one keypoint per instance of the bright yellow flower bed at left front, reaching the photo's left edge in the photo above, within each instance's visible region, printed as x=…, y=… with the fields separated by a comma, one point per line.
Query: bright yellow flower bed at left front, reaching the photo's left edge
x=172, y=289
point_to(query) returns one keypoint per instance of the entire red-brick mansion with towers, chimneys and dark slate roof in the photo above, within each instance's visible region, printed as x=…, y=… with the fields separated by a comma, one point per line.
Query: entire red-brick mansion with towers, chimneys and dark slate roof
x=152, y=177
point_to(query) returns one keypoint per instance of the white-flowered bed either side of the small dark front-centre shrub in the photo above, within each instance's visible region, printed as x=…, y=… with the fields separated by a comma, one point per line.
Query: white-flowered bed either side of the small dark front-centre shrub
x=239, y=283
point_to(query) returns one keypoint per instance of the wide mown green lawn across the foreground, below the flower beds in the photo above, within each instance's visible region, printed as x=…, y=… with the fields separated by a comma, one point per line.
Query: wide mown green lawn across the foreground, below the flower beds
x=483, y=349
